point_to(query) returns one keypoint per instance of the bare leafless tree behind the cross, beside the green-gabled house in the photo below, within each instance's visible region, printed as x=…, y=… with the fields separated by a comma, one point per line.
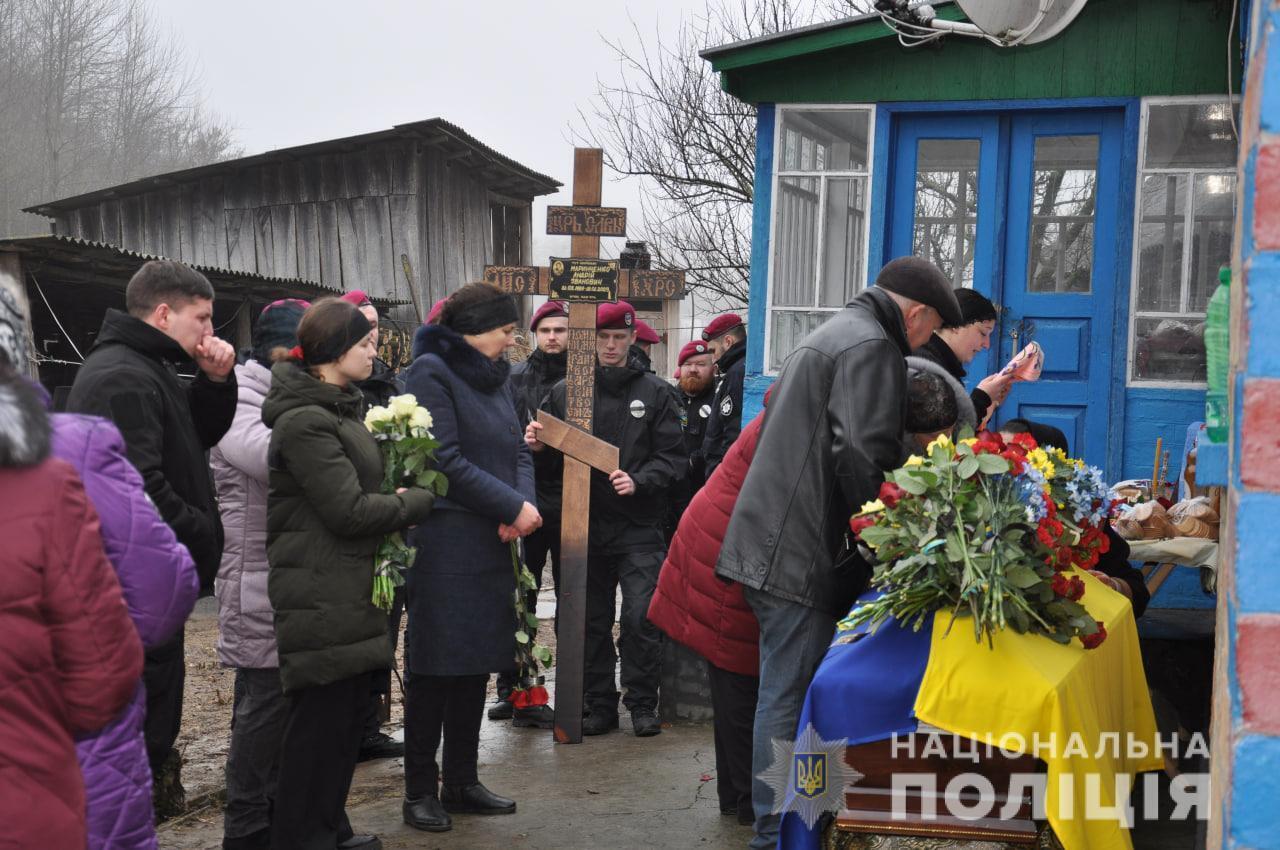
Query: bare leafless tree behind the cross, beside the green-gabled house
x=666, y=120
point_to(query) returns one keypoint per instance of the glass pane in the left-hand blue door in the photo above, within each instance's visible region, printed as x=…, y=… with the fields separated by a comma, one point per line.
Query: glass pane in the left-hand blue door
x=947, y=205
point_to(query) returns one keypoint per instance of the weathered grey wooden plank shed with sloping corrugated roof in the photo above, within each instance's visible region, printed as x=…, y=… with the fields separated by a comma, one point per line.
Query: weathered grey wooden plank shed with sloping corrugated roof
x=406, y=214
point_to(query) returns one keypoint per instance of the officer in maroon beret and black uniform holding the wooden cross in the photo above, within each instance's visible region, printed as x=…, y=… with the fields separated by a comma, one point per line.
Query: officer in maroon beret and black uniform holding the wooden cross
x=636, y=412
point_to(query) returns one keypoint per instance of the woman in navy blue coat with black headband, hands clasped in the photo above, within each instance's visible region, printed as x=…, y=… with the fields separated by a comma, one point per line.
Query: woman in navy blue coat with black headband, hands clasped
x=461, y=588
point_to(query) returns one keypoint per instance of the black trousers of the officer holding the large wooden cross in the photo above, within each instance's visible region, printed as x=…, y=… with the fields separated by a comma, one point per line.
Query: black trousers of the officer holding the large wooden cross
x=639, y=641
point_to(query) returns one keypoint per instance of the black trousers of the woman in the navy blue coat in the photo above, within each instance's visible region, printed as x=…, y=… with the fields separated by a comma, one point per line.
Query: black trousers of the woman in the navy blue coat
x=436, y=707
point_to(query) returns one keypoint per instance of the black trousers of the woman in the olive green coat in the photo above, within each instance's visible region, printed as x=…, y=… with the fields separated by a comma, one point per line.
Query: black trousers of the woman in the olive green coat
x=318, y=758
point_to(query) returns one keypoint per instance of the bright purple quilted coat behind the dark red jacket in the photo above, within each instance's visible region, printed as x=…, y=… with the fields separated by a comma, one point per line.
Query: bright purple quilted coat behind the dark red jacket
x=159, y=582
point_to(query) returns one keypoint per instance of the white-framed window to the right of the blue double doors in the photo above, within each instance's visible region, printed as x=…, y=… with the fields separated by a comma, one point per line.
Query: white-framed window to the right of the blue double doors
x=1183, y=235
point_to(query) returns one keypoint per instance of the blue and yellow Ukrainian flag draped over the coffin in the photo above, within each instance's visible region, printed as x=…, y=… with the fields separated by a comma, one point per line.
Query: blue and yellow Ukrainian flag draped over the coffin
x=872, y=687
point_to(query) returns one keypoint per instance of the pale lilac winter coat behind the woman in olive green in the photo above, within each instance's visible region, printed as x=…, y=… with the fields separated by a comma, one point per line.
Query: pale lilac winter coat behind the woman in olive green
x=246, y=624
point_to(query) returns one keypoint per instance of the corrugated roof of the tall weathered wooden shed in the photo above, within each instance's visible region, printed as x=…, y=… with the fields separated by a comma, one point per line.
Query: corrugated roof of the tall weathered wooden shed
x=435, y=131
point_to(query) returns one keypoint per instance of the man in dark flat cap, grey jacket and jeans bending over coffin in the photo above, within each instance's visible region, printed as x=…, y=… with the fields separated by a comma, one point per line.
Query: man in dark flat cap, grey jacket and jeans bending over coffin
x=834, y=428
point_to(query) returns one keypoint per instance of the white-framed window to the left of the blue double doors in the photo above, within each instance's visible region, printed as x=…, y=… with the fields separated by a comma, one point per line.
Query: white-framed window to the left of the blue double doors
x=820, y=221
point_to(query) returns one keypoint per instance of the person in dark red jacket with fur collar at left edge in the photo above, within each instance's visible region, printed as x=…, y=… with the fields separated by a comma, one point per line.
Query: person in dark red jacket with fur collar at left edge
x=71, y=657
